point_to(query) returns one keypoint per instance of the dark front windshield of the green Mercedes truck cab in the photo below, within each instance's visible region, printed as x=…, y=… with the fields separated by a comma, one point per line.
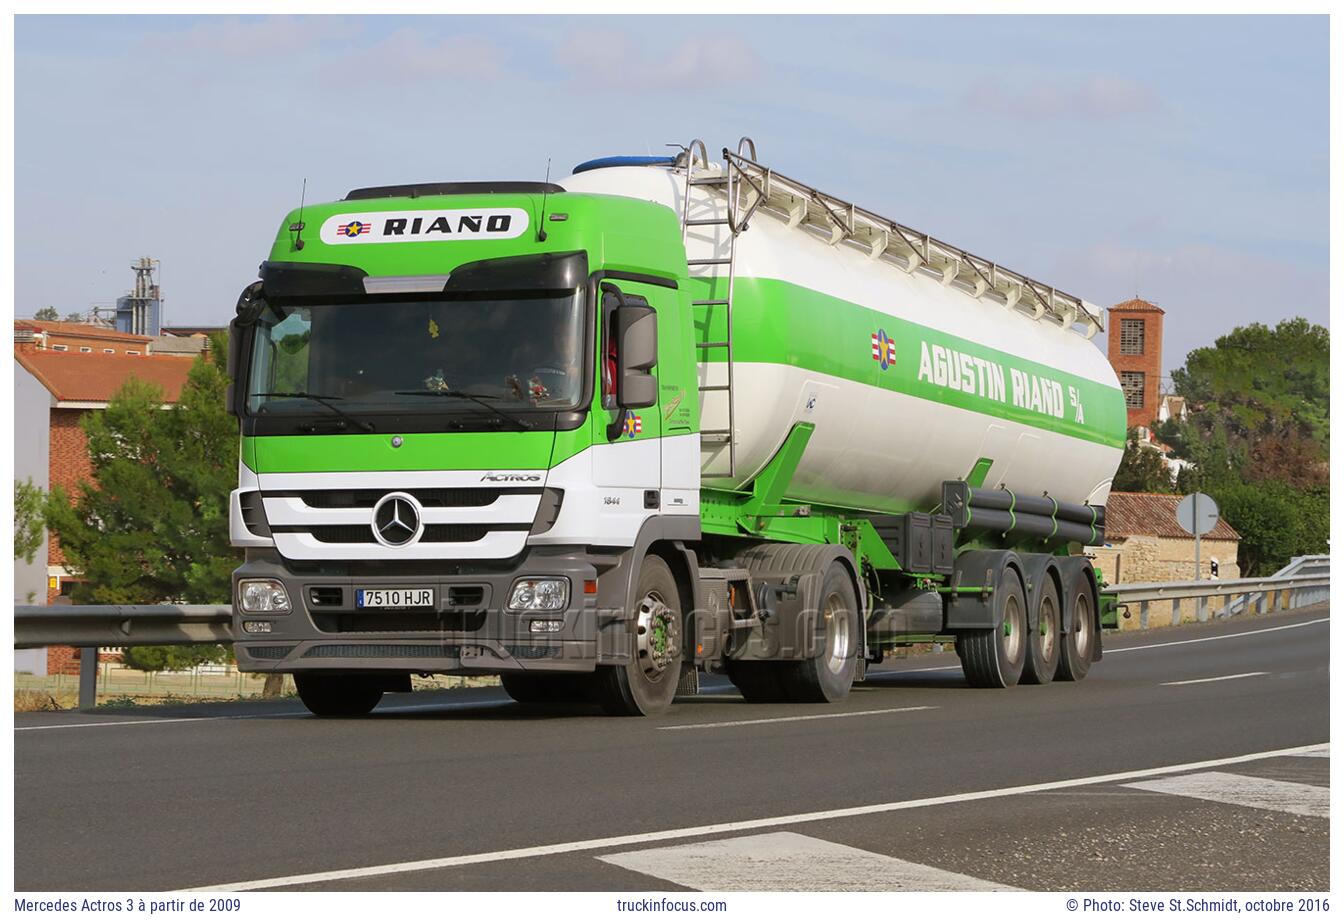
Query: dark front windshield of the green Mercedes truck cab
x=518, y=353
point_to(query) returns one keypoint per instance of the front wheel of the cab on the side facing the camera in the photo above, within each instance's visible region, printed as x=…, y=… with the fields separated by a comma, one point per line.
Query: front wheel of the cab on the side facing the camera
x=647, y=684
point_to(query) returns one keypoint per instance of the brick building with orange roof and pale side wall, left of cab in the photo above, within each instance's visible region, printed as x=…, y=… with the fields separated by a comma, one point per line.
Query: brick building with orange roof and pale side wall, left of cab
x=54, y=390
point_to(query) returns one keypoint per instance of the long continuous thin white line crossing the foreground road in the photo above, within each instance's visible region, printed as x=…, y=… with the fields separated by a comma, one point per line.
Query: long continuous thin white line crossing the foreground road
x=734, y=827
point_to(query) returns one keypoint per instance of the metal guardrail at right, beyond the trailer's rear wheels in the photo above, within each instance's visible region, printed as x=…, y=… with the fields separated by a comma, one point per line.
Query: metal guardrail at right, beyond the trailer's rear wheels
x=1307, y=585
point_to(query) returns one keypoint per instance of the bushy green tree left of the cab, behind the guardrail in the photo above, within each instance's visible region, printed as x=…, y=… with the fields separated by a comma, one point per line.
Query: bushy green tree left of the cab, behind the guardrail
x=154, y=524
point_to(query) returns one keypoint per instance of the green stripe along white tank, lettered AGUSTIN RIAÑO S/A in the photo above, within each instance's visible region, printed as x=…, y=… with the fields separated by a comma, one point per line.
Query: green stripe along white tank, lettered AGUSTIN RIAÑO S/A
x=780, y=323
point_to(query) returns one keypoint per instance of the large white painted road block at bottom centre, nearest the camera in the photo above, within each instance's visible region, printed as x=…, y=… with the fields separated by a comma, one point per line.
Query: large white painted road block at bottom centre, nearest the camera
x=791, y=863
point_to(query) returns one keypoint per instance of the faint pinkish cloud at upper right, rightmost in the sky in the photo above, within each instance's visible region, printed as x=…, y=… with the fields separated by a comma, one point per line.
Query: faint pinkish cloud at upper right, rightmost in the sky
x=1097, y=97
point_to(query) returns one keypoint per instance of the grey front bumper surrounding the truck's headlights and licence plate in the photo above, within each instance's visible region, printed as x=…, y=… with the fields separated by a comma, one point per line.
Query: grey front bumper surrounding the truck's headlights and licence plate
x=467, y=632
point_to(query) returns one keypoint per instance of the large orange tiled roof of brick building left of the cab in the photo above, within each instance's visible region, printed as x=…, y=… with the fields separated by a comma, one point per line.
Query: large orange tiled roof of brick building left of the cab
x=95, y=378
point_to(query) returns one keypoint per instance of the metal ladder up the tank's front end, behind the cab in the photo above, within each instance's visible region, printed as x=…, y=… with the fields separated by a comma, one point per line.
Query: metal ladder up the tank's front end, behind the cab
x=720, y=268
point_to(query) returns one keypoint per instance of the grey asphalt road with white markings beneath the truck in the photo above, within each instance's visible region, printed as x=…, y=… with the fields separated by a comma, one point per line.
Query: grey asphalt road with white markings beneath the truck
x=1150, y=776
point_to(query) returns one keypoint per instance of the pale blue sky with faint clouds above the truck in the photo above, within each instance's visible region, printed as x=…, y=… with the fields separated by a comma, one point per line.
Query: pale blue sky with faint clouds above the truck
x=1182, y=159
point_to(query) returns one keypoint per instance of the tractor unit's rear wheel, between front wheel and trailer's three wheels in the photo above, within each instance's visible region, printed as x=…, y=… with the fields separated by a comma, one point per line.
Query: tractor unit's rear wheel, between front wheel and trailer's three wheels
x=830, y=675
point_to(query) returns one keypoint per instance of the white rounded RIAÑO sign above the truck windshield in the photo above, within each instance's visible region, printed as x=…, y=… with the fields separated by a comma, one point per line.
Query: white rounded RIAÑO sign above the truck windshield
x=421, y=226
